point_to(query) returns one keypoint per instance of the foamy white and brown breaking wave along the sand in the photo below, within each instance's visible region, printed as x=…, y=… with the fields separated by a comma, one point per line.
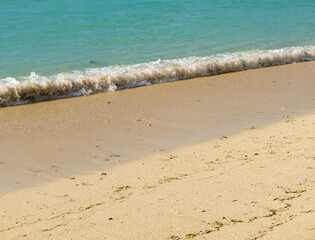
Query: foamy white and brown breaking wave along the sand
x=35, y=88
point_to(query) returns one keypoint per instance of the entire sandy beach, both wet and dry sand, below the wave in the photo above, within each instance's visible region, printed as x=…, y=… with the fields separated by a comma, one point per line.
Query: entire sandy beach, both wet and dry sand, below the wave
x=222, y=157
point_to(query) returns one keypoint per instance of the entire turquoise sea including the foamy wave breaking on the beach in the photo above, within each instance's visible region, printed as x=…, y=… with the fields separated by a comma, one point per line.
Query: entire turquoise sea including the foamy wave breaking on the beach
x=52, y=49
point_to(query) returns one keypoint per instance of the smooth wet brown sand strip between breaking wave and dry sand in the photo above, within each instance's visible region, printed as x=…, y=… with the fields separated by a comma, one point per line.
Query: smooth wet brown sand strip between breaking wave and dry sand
x=48, y=140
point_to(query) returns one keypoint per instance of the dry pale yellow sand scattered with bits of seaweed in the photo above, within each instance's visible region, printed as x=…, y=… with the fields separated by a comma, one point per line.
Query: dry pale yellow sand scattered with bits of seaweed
x=258, y=184
